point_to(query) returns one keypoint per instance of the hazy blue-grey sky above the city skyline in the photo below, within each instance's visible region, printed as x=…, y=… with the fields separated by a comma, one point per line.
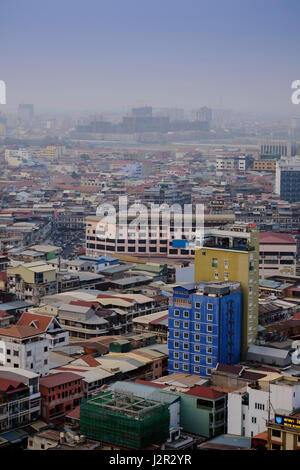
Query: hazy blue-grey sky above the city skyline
x=107, y=54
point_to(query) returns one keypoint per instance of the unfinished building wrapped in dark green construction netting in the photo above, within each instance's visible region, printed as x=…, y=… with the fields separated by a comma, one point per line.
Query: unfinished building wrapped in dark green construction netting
x=124, y=419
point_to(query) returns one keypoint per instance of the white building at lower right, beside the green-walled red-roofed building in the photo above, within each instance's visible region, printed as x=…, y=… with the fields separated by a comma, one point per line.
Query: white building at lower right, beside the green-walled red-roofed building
x=250, y=407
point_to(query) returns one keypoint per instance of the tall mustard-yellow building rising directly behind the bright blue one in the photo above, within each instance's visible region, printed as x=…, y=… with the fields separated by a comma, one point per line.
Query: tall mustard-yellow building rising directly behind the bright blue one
x=232, y=254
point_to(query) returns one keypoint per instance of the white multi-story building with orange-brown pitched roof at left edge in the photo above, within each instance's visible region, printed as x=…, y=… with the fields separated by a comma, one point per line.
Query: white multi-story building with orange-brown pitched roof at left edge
x=24, y=347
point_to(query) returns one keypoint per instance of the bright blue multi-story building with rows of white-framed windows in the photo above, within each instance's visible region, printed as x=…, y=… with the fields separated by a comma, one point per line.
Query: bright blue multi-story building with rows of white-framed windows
x=204, y=327
